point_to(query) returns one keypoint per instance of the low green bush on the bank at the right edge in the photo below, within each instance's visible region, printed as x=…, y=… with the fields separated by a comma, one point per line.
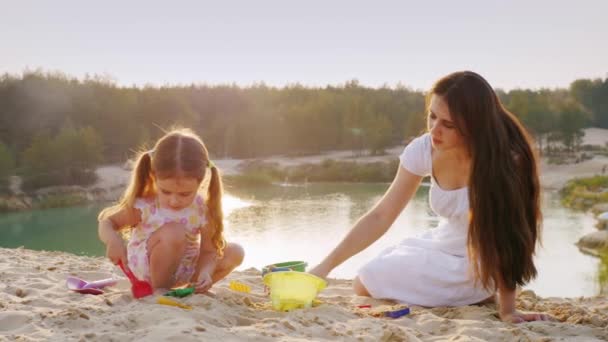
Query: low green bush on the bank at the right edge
x=583, y=193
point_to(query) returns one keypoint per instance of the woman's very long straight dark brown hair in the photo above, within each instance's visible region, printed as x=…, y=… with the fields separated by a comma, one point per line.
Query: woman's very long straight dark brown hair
x=504, y=190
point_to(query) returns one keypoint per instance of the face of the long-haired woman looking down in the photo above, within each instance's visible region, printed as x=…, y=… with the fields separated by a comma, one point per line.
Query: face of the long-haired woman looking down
x=444, y=133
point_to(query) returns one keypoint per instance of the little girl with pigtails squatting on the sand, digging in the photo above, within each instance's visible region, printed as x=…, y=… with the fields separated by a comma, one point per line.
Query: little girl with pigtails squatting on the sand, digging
x=176, y=234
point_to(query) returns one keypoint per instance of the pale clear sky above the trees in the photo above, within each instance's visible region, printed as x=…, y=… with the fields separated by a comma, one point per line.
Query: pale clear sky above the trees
x=513, y=44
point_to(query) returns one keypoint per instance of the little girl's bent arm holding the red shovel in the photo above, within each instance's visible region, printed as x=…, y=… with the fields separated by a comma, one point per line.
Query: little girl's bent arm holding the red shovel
x=108, y=233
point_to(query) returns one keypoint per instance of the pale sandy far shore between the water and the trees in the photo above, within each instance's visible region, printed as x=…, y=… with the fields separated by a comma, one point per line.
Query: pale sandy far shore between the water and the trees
x=113, y=178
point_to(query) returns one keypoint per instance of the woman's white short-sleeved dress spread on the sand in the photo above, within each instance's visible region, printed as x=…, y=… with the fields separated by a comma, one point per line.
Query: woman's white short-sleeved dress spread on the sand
x=431, y=269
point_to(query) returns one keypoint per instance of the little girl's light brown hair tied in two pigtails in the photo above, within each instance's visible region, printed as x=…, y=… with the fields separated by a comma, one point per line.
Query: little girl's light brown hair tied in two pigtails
x=179, y=153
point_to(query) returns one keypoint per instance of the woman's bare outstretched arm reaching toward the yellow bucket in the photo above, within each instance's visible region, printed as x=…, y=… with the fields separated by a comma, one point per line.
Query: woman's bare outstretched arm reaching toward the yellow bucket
x=374, y=223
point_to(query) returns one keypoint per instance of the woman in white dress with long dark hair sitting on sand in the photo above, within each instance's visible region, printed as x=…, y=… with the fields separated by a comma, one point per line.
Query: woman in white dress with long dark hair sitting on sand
x=484, y=186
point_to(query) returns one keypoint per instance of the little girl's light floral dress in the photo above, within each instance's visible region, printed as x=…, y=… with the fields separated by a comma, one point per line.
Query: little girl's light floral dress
x=193, y=218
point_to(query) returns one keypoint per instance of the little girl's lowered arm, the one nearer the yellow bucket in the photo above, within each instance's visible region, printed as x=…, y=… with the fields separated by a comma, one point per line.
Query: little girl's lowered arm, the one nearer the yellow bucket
x=207, y=261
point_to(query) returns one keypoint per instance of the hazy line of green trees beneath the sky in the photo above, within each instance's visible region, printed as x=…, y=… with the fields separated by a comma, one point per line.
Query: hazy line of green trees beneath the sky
x=55, y=129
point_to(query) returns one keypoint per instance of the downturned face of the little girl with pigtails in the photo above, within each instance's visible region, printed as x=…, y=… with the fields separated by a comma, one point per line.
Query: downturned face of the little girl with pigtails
x=176, y=193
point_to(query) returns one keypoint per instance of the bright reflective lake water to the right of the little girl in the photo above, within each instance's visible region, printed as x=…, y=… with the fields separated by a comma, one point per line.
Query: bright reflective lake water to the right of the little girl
x=284, y=224
